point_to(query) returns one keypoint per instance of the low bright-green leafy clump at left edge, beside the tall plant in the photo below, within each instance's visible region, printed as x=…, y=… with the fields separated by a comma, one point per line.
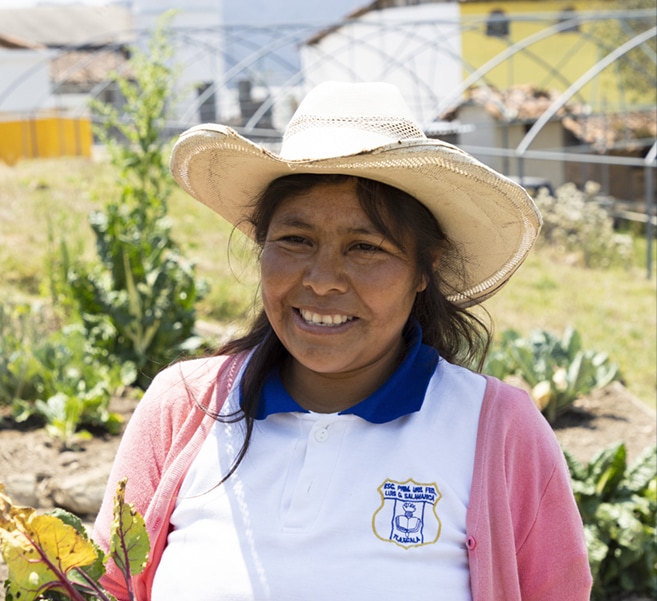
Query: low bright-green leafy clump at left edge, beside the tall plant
x=56, y=376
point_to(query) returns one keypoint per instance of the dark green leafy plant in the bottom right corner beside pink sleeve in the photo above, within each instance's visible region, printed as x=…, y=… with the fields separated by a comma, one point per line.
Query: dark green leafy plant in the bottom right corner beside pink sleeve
x=618, y=506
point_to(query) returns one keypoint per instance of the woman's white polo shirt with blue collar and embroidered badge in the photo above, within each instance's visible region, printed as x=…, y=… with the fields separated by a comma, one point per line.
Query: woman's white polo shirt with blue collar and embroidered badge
x=368, y=504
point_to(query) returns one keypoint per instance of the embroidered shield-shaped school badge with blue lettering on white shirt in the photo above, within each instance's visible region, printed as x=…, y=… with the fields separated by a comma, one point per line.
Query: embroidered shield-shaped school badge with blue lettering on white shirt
x=407, y=515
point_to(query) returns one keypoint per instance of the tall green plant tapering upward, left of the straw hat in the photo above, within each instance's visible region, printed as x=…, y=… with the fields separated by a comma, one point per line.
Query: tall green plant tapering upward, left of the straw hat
x=138, y=302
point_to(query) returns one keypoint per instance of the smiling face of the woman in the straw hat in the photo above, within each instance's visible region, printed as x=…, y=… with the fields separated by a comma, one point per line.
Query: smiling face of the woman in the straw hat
x=336, y=291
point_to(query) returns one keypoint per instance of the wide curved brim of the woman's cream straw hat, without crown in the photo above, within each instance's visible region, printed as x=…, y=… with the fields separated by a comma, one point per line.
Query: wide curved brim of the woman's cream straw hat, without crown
x=491, y=221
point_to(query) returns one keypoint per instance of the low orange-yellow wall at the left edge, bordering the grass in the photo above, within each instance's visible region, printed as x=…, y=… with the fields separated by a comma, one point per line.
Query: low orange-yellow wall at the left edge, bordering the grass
x=44, y=137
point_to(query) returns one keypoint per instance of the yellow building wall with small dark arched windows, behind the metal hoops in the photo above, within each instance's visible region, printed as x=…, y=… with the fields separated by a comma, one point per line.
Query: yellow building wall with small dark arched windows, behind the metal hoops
x=570, y=54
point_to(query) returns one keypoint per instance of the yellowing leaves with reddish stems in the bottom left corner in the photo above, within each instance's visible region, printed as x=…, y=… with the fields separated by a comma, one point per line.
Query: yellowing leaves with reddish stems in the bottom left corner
x=51, y=557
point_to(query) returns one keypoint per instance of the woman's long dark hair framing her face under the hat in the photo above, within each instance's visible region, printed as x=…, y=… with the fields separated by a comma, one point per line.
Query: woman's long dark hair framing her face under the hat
x=459, y=336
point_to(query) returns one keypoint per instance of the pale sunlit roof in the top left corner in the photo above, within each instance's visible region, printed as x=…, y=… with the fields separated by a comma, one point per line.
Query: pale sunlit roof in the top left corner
x=68, y=25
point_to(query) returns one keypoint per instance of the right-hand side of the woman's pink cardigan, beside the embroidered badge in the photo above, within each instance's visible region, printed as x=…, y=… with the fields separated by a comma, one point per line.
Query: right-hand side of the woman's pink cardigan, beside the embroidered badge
x=525, y=532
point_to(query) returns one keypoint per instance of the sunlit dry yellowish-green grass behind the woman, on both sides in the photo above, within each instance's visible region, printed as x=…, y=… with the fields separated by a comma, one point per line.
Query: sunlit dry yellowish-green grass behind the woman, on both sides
x=43, y=201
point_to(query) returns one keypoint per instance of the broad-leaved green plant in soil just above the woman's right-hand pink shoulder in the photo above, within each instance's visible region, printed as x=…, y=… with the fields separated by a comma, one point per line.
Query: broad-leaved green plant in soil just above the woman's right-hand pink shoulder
x=557, y=369
